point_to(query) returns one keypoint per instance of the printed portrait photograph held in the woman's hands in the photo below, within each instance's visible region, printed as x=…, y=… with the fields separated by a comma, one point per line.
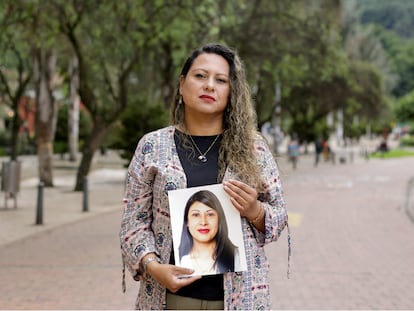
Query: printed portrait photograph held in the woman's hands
x=207, y=231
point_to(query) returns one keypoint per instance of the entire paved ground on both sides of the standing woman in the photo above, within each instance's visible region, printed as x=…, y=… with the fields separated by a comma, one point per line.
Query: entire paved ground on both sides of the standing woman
x=352, y=243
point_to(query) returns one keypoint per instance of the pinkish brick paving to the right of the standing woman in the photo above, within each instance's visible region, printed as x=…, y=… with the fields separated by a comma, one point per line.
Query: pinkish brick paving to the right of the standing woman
x=353, y=245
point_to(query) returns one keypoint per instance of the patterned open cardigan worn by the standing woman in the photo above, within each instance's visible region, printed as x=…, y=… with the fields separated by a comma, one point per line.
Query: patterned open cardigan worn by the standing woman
x=154, y=170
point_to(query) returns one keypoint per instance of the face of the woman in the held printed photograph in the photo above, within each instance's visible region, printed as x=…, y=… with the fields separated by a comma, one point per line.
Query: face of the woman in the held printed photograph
x=202, y=222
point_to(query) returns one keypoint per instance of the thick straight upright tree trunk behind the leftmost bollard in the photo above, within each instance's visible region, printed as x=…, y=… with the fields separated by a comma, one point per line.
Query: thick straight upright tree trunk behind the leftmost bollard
x=44, y=68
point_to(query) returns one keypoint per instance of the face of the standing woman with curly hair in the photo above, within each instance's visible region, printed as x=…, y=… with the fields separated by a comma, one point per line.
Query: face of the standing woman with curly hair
x=206, y=88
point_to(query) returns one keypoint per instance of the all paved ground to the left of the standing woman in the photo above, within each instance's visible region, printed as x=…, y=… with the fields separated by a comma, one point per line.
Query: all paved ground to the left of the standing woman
x=72, y=260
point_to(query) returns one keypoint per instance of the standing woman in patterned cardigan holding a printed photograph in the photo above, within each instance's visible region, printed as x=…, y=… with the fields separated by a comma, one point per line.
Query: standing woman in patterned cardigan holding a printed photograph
x=212, y=138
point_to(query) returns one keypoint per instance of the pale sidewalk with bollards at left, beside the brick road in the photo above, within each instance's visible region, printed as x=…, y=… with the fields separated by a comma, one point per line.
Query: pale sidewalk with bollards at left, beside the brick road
x=61, y=205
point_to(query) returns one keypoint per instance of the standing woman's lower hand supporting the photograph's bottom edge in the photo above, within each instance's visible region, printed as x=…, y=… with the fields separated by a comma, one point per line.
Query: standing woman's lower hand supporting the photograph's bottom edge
x=170, y=276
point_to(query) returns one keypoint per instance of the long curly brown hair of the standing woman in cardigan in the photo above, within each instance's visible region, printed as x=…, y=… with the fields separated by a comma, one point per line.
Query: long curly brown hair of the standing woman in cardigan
x=239, y=122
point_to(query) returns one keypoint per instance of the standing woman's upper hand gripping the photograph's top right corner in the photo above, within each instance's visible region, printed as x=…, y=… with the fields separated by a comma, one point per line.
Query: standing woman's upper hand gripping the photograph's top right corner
x=243, y=197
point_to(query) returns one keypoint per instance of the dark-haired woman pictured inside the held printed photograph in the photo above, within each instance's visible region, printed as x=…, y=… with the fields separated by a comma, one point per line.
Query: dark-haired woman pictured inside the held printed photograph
x=205, y=245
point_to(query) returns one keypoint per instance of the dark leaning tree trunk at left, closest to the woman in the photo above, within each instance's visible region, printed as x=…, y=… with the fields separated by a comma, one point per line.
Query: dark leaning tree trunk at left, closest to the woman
x=91, y=145
